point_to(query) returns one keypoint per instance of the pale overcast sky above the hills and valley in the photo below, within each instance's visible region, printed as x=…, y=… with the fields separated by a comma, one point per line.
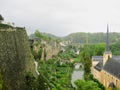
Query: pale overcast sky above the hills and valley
x=62, y=17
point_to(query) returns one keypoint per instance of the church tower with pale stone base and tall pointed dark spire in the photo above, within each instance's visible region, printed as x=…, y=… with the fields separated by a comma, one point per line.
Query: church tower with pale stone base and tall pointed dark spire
x=107, y=53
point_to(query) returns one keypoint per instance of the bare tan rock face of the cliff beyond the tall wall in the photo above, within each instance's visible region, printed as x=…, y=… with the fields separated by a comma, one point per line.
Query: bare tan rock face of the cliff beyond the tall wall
x=49, y=49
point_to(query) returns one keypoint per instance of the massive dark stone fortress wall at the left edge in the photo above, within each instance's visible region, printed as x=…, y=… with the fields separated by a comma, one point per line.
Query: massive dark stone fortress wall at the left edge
x=15, y=58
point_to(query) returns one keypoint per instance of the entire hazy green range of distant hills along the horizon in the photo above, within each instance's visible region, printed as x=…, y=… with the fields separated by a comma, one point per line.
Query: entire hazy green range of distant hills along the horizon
x=80, y=37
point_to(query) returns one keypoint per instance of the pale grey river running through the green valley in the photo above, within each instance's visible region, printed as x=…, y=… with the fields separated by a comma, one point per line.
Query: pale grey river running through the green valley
x=77, y=74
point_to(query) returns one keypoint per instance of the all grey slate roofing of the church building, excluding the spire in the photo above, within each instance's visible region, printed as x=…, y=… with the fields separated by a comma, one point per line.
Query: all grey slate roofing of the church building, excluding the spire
x=112, y=66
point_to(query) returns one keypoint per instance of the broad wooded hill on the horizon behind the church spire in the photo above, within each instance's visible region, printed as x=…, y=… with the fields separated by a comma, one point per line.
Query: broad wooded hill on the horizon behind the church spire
x=92, y=37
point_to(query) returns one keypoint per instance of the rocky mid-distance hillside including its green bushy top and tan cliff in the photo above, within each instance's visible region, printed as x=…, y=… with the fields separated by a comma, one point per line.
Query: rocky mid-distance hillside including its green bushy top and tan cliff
x=46, y=45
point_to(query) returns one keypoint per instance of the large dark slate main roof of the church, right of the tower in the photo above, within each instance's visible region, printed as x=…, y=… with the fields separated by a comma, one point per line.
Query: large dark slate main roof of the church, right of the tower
x=113, y=66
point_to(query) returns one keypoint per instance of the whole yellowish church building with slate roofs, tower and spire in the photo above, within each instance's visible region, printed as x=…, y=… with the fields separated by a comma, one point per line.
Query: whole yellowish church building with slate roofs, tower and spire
x=106, y=68
